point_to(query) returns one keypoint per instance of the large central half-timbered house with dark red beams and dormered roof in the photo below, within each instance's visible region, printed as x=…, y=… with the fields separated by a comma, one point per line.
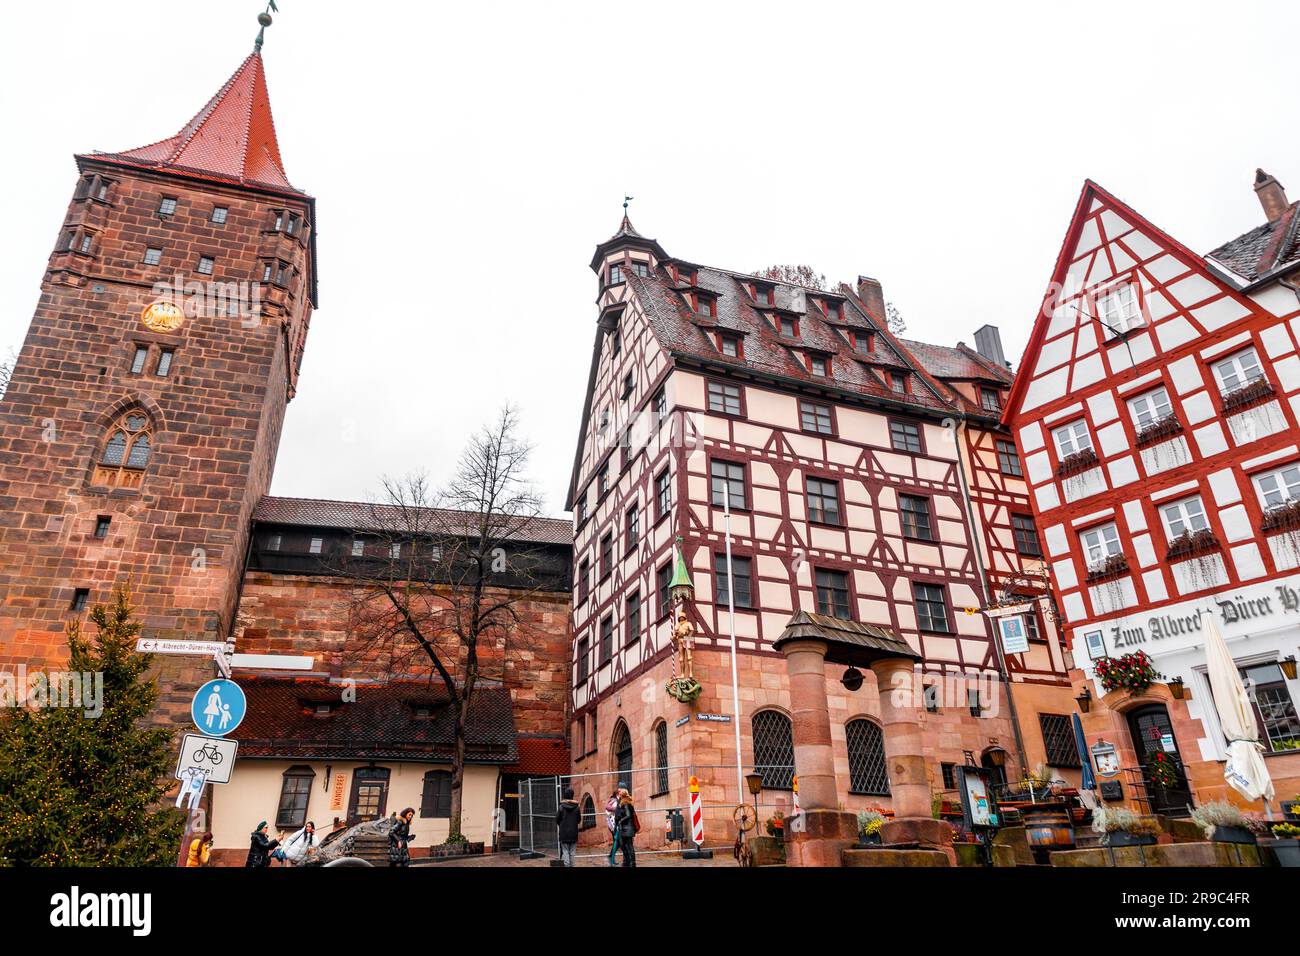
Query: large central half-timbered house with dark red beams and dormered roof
x=869, y=479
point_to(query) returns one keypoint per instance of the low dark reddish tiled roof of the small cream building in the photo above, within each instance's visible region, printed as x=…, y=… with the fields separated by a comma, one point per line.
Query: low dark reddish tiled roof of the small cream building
x=382, y=724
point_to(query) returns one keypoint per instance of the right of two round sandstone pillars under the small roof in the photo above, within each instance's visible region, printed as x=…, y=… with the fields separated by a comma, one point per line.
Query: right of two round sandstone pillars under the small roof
x=905, y=759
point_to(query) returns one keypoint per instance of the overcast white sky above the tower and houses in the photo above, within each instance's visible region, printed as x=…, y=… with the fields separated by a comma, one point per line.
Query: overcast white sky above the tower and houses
x=467, y=158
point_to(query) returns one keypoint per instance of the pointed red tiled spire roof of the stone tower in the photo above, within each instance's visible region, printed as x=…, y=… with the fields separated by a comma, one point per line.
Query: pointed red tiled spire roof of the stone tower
x=231, y=140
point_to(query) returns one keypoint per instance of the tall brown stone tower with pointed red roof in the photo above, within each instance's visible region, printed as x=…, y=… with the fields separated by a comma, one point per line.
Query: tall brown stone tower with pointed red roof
x=145, y=410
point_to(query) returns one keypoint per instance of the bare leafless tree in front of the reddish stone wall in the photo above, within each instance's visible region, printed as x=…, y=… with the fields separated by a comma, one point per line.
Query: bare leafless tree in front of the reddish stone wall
x=441, y=577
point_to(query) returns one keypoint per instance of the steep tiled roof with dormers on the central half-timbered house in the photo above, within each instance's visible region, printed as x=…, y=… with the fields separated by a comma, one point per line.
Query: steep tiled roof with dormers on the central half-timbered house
x=765, y=351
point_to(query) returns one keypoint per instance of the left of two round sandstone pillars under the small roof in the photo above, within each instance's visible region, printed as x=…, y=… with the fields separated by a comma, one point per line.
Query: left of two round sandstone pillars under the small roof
x=822, y=832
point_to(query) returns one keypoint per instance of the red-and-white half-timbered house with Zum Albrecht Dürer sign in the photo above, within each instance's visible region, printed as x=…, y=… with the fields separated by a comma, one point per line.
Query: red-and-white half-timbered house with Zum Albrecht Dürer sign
x=1156, y=414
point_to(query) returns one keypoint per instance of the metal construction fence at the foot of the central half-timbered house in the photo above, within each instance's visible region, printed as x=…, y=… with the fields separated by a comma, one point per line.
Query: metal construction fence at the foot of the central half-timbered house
x=662, y=799
